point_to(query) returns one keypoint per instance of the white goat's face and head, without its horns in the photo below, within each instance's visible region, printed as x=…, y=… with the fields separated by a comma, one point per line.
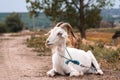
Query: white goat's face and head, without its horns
x=56, y=36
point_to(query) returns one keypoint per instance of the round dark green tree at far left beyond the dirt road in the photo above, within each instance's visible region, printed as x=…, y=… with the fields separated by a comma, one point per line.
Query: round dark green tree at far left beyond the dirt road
x=14, y=23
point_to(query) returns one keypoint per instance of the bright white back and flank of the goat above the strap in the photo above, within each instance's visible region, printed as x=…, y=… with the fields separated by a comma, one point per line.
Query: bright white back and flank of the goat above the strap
x=80, y=55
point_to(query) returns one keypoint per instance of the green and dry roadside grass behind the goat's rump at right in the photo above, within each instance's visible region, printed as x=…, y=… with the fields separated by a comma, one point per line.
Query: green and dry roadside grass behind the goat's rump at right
x=108, y=58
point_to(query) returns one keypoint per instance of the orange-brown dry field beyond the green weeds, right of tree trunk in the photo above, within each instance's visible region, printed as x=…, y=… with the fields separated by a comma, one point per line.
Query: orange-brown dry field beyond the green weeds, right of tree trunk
x=102, y=34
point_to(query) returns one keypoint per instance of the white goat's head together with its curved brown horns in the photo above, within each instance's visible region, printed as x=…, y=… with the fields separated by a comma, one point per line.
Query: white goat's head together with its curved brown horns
x=59, y=33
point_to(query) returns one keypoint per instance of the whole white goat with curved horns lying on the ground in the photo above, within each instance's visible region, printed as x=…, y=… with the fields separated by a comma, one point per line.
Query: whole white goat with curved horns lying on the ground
x=57, y=42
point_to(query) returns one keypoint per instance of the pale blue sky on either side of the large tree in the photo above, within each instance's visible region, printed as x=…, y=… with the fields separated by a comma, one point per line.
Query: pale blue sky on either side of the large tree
x=20, y=5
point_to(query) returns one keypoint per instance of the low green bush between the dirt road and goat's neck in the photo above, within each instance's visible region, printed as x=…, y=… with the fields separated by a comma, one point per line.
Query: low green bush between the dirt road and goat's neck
x=38, y=43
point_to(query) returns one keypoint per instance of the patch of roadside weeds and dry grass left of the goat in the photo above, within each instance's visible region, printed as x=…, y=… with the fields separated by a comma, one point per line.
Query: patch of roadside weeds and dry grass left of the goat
x=38, y=43
